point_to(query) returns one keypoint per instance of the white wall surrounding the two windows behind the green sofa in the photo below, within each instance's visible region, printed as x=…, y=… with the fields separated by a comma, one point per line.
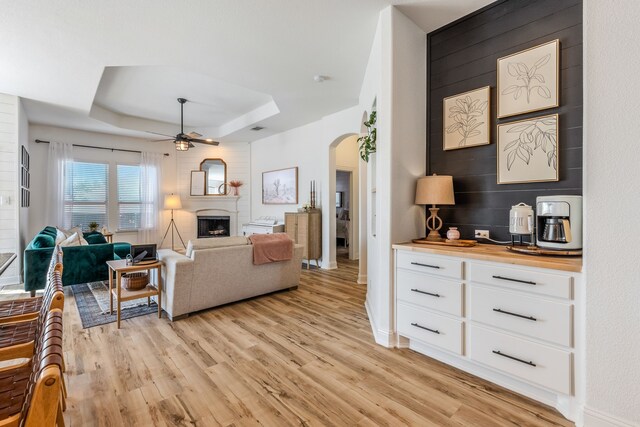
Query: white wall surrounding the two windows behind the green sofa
x=37, y=220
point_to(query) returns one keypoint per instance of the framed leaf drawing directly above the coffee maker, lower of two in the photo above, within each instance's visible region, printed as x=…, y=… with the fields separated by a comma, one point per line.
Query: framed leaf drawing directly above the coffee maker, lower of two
x=528, y=150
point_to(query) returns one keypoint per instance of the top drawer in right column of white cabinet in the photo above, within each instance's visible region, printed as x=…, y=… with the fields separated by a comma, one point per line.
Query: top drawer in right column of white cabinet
x=538, y=282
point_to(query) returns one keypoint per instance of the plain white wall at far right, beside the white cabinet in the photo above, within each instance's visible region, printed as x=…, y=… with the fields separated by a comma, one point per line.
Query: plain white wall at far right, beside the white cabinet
x=612, y=201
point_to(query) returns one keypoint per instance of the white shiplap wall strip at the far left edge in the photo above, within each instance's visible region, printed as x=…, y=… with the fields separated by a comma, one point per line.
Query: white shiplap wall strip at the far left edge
x=9, y=183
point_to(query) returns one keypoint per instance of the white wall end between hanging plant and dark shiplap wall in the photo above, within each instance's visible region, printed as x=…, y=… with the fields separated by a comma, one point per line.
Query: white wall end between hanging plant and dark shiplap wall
x=400, y=158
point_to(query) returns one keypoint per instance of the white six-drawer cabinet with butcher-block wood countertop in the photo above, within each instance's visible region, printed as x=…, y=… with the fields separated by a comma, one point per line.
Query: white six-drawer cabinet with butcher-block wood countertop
x=512, y=319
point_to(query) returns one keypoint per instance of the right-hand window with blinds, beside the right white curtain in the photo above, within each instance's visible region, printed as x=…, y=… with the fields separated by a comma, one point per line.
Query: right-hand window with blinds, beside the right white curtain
x=129, y=198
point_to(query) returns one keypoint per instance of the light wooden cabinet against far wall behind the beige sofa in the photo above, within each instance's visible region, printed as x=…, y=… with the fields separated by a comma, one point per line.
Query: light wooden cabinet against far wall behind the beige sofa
x=305, y=228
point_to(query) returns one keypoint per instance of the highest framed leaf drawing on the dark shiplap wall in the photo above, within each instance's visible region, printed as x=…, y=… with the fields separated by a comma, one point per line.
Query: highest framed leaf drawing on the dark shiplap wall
x=529, y=80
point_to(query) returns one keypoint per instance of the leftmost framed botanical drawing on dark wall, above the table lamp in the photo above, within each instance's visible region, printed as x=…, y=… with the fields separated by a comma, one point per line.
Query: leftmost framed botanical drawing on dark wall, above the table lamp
x=466, y=119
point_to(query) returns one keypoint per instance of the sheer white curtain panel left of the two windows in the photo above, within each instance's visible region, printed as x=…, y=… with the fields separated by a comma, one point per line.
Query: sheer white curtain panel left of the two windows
x=60, y=158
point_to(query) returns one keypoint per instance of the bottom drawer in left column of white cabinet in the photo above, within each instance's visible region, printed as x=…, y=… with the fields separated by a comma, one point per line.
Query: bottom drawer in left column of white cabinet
x=430, y=328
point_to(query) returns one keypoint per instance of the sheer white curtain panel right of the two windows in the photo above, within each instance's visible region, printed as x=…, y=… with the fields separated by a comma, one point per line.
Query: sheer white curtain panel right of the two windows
x=150, y=182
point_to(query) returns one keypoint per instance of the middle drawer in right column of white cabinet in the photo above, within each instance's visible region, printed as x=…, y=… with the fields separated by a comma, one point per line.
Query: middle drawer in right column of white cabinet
x=542, y=319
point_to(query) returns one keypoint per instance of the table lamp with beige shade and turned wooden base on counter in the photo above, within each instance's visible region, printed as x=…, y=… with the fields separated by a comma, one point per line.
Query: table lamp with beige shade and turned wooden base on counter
x=435, y=190
